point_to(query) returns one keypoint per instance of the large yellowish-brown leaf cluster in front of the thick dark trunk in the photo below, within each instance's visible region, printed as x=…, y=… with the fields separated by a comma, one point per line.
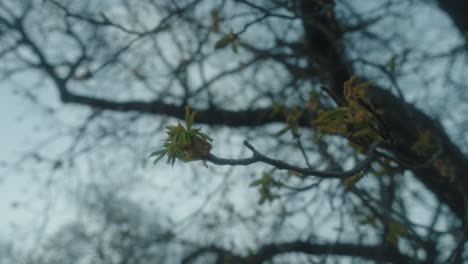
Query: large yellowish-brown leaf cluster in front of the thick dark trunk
x=355, y=121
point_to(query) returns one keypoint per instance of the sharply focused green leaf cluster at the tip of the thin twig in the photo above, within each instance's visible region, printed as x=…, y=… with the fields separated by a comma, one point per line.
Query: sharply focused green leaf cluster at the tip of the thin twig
x=184, y=143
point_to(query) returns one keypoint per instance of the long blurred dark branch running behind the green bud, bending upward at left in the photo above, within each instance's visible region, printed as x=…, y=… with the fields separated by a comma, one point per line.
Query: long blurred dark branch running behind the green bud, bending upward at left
x=210, y=116
